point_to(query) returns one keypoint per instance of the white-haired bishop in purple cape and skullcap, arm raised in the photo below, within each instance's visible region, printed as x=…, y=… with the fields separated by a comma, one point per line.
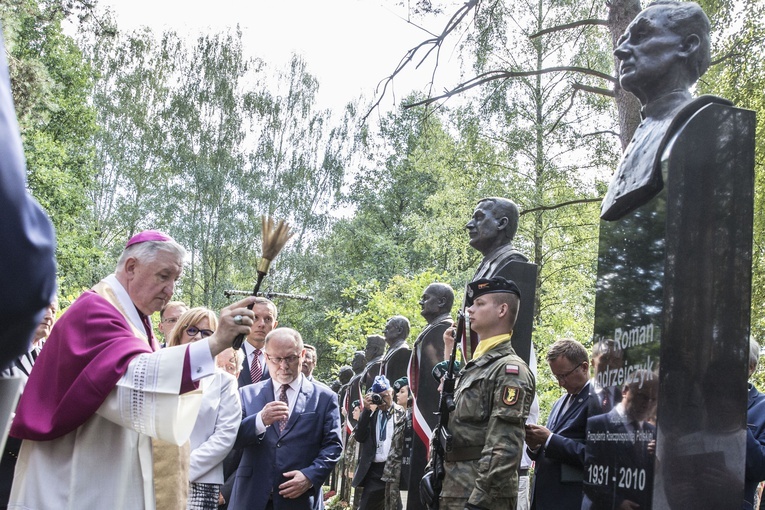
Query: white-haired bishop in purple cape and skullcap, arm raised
x=102, y=390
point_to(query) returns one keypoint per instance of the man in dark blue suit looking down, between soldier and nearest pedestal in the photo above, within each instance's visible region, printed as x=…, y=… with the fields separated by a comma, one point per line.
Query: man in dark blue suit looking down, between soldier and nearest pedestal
x=558, y=449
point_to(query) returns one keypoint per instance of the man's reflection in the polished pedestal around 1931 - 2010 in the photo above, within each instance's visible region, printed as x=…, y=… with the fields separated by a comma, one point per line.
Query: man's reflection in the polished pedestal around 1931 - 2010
x=619, y=452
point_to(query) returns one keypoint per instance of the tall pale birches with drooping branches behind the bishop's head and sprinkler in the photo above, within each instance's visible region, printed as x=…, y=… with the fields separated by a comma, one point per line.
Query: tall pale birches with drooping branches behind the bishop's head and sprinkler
x=199, y=140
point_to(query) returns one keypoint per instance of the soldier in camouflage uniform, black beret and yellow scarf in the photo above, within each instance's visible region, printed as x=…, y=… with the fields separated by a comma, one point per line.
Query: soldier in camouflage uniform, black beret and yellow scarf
x=492, y=396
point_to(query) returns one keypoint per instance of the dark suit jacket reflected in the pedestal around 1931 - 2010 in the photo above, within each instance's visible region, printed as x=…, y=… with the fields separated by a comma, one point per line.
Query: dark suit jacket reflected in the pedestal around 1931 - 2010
x=615, y=457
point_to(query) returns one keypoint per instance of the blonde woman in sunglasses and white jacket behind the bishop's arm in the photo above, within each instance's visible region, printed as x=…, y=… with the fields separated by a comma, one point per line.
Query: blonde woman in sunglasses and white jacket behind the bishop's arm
x=218, y=420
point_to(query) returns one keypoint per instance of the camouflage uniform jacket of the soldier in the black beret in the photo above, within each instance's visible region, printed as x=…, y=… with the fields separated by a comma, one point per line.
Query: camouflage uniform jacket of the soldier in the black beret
x=493, y=396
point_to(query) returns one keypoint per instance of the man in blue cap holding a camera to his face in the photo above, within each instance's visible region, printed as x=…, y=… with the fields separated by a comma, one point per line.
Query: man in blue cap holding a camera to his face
x=375, y=432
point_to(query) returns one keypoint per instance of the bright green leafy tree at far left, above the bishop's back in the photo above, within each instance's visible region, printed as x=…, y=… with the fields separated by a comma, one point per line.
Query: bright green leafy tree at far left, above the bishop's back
x=50, y=82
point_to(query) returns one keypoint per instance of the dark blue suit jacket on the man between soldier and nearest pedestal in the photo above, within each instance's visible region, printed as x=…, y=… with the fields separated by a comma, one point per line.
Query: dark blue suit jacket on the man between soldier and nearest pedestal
x=559, y=465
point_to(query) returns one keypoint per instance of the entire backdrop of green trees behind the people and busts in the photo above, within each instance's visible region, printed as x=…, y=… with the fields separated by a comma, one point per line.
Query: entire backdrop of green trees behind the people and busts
x=151, y=131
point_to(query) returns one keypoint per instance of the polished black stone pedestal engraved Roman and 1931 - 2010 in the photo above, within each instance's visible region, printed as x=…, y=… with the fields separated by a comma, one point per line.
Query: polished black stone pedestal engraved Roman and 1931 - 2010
x=673, y=301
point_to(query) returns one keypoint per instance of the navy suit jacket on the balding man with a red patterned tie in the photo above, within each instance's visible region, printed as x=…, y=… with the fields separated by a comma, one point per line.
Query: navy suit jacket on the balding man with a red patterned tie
x=310, y=443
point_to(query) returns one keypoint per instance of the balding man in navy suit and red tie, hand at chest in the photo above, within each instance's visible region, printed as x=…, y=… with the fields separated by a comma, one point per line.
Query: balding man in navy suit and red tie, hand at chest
x=290, y=433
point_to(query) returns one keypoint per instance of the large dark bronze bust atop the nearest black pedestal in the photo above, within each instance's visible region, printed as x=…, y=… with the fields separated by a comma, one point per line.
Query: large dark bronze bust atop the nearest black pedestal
x=661, y=55
